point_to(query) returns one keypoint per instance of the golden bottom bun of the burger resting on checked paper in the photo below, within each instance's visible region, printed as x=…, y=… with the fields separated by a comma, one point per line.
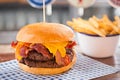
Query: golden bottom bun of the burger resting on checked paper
x=48, y=71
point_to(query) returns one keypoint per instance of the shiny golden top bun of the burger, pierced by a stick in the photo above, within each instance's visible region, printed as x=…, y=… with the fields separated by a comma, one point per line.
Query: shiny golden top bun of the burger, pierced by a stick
x=45, y=32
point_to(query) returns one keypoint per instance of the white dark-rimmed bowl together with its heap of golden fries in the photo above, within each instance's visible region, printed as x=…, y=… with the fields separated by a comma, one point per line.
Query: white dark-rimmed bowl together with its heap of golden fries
x=97, y=37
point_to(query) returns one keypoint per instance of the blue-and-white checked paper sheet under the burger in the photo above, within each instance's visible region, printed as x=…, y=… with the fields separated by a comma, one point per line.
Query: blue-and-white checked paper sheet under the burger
x=84, y=69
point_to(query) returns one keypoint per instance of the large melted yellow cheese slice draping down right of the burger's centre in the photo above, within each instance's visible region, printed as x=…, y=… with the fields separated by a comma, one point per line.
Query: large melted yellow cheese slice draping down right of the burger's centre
x=53, y=47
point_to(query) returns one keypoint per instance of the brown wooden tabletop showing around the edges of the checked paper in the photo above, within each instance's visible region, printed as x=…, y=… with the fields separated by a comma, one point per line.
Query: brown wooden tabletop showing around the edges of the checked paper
x=113, y=61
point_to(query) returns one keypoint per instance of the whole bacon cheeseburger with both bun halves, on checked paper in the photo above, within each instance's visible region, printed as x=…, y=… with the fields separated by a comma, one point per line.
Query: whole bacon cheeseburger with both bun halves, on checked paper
x=45, y=48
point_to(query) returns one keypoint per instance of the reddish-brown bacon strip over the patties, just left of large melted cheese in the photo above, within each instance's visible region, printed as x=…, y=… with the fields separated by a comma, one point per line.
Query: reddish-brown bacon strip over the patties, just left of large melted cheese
x=41, y=49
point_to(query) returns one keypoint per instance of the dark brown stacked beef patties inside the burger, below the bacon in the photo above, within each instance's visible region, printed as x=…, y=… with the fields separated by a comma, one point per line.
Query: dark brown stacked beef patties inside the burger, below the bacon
x=35, y=59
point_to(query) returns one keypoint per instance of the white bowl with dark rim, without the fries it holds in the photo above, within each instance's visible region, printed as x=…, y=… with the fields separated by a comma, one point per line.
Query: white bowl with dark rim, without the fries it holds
x=96, y=46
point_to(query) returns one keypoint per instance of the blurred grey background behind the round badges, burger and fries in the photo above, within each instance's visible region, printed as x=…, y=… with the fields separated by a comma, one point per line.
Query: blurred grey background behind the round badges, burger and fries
x=14, y=14
